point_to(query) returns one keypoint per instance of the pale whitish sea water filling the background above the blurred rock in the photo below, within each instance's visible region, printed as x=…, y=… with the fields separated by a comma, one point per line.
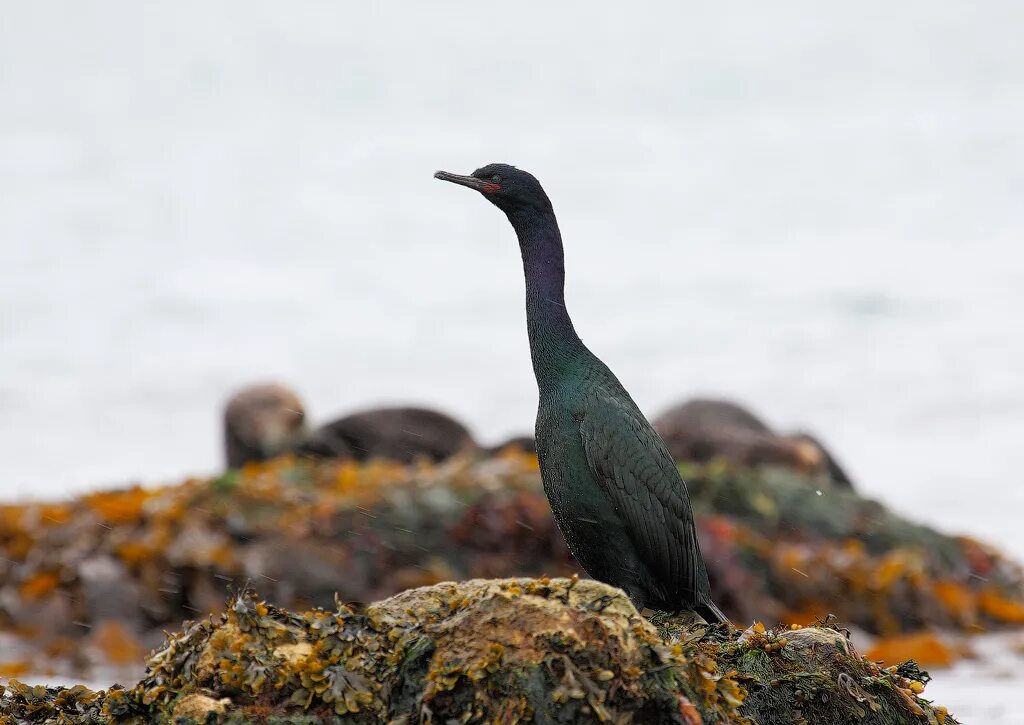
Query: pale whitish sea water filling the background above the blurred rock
x=817, y=211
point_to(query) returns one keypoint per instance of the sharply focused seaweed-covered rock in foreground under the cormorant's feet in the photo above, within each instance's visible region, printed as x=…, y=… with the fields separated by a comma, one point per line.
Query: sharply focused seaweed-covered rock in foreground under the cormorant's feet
x=507, y=652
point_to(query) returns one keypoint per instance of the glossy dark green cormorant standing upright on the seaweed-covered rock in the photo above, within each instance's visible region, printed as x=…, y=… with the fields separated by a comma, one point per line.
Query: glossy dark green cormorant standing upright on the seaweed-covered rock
x=614, y=488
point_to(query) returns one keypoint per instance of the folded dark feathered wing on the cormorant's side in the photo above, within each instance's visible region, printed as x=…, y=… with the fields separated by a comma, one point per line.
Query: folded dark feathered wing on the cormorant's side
x=641, y=478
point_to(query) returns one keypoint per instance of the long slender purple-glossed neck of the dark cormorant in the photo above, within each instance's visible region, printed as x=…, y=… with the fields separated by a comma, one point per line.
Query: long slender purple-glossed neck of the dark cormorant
x=554, y=346
